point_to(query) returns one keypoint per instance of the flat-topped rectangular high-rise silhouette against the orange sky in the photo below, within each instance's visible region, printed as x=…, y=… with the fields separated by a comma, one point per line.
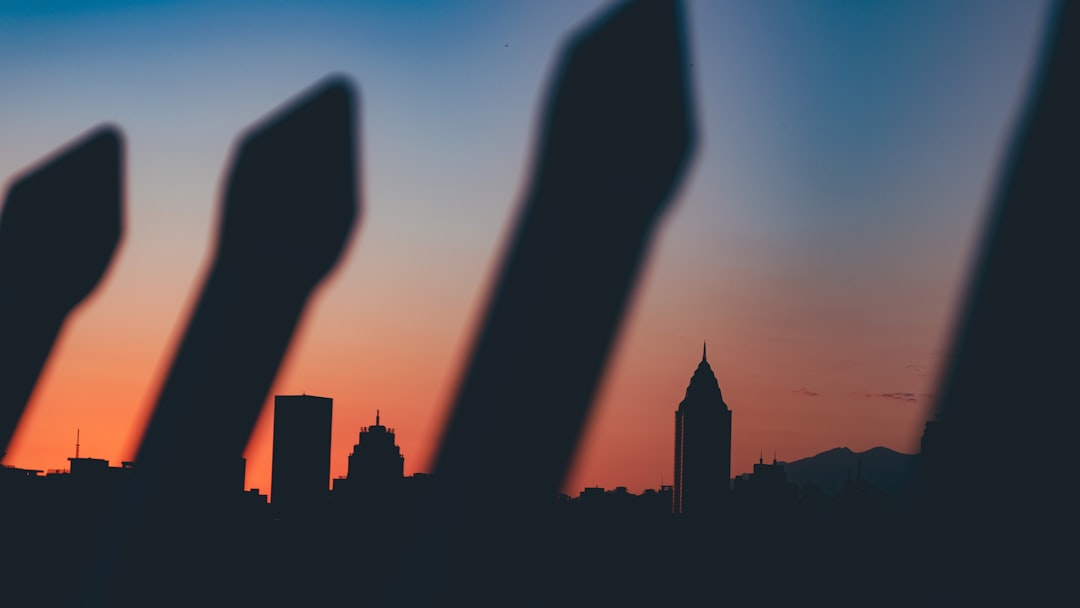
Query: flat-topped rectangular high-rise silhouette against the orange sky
x=302, y=454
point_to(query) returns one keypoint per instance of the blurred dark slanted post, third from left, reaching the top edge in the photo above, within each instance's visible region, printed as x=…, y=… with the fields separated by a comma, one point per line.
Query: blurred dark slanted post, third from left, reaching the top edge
x=615, y=140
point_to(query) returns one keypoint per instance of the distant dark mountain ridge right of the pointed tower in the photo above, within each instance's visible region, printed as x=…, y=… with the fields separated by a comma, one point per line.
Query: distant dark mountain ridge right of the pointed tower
x=886, y=469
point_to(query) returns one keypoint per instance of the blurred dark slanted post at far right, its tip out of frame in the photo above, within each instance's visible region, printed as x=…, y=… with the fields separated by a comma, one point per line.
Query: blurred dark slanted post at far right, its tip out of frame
x=997, y=509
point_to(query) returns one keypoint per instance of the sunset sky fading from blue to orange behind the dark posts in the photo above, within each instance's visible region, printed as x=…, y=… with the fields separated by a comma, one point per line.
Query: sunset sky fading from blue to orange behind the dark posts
x=820, y=242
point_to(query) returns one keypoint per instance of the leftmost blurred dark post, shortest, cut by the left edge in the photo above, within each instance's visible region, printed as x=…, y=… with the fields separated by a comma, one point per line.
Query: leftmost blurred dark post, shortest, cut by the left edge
x=62, y=223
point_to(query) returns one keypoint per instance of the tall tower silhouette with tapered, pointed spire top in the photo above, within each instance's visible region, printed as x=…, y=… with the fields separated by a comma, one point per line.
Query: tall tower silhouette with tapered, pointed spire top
x=703, y=447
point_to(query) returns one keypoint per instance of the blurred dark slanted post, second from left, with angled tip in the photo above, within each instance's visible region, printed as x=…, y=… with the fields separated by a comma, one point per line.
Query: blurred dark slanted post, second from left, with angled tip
x=290, y=209
